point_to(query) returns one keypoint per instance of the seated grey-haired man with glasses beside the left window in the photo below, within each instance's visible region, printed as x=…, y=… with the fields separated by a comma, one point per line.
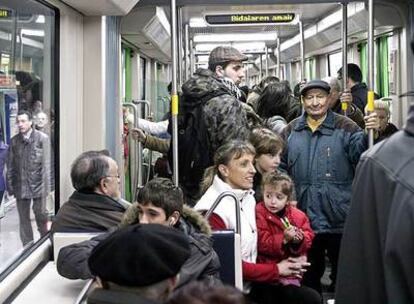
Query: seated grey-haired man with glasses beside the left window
x=96, y=204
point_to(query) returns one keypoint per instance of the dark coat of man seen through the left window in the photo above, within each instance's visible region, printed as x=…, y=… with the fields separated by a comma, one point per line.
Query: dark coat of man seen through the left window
x=28, y=166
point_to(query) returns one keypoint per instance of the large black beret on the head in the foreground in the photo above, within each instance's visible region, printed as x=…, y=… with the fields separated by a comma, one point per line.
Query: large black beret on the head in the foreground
x=140, y=255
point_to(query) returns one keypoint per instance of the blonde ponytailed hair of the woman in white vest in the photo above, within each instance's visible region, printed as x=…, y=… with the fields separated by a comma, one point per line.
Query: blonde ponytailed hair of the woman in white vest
x=224, y=154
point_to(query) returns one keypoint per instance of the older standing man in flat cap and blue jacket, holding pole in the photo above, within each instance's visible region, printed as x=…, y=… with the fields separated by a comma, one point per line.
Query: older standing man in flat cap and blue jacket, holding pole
x=322, y=151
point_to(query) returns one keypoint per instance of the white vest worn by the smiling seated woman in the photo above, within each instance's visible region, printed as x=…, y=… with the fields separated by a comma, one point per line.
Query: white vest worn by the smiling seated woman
x=227, y=213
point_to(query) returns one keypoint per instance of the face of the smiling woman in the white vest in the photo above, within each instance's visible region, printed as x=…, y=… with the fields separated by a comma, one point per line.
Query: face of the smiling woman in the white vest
x=239, y=173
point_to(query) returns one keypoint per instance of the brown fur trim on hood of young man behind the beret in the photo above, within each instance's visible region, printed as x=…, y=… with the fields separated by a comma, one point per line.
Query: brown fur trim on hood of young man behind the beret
x=190, y=216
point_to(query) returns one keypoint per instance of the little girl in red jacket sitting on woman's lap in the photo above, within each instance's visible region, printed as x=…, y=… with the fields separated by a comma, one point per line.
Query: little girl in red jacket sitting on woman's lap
x=283, y=230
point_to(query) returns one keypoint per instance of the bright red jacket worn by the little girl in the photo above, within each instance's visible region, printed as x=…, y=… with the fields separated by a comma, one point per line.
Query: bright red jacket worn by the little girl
x=270, y=230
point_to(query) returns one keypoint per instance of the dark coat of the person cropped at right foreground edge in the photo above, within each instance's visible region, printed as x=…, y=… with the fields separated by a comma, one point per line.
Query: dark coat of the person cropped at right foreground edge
x=376, y=259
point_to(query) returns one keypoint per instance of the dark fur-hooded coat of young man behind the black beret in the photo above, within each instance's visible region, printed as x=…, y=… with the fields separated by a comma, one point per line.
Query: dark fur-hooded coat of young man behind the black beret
x=203, y=263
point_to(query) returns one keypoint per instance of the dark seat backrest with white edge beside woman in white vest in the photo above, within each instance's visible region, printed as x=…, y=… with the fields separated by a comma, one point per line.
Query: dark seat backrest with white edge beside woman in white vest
x=228, y=248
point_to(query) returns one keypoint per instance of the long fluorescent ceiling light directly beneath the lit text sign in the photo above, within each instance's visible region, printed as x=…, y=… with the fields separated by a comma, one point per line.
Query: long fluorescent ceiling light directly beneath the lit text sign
x=236, y=37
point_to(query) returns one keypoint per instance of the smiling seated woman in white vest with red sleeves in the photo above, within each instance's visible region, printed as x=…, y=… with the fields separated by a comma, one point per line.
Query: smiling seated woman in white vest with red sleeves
x=233, y=171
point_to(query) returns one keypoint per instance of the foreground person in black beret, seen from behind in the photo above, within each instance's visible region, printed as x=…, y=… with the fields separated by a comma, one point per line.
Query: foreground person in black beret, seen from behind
x=138, y=264
